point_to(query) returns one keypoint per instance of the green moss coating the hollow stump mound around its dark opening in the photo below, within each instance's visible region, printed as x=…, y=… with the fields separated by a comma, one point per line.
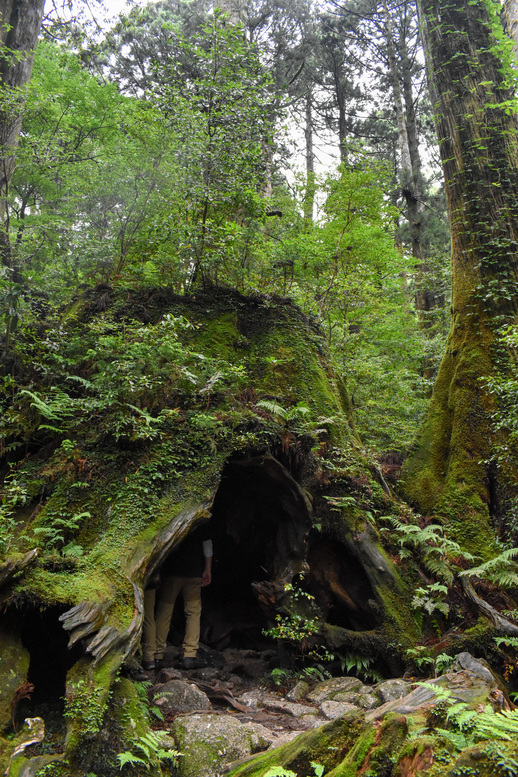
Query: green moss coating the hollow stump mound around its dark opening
x=137, y=487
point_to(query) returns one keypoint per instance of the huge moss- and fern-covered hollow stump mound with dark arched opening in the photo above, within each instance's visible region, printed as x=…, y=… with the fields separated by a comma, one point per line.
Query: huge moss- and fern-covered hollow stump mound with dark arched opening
x=140, y=414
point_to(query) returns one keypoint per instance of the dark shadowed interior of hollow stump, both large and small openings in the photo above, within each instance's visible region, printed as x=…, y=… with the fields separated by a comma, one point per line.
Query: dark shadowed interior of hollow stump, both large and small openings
x=261, y=530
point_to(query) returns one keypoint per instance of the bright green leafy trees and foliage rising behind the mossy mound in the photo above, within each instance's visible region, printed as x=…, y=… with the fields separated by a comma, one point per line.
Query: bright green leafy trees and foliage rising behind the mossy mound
x=145, y=191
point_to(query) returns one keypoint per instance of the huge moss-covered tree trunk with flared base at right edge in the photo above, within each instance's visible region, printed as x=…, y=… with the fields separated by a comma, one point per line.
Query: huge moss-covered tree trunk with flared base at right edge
x=451, y=473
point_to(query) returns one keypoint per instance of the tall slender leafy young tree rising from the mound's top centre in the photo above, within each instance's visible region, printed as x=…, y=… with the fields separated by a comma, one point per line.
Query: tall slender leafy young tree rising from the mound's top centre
x=217, y=99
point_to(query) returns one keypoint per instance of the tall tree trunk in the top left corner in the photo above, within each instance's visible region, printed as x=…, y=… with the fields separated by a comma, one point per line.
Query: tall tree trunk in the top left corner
x=20, y=22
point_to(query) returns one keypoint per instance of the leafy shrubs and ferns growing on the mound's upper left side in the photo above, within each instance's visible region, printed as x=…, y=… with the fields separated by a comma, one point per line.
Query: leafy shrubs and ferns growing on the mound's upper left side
x=134, y=371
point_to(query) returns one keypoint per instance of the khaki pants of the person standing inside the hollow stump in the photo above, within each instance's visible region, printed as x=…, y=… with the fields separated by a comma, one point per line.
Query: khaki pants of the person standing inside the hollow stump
x=157, y=616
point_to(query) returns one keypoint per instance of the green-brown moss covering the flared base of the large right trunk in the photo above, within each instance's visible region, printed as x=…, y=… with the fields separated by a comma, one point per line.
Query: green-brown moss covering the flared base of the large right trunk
x=447, y=473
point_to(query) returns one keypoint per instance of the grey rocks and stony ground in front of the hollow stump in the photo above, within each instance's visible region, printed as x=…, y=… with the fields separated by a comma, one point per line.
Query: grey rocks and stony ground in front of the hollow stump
x=224, y=713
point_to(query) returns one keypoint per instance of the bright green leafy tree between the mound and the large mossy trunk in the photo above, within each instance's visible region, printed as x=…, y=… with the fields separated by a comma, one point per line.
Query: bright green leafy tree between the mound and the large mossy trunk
x=347, y=272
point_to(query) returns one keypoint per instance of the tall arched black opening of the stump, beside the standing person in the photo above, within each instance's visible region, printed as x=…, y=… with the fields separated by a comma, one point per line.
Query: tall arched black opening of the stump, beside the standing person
x=260, y=521
